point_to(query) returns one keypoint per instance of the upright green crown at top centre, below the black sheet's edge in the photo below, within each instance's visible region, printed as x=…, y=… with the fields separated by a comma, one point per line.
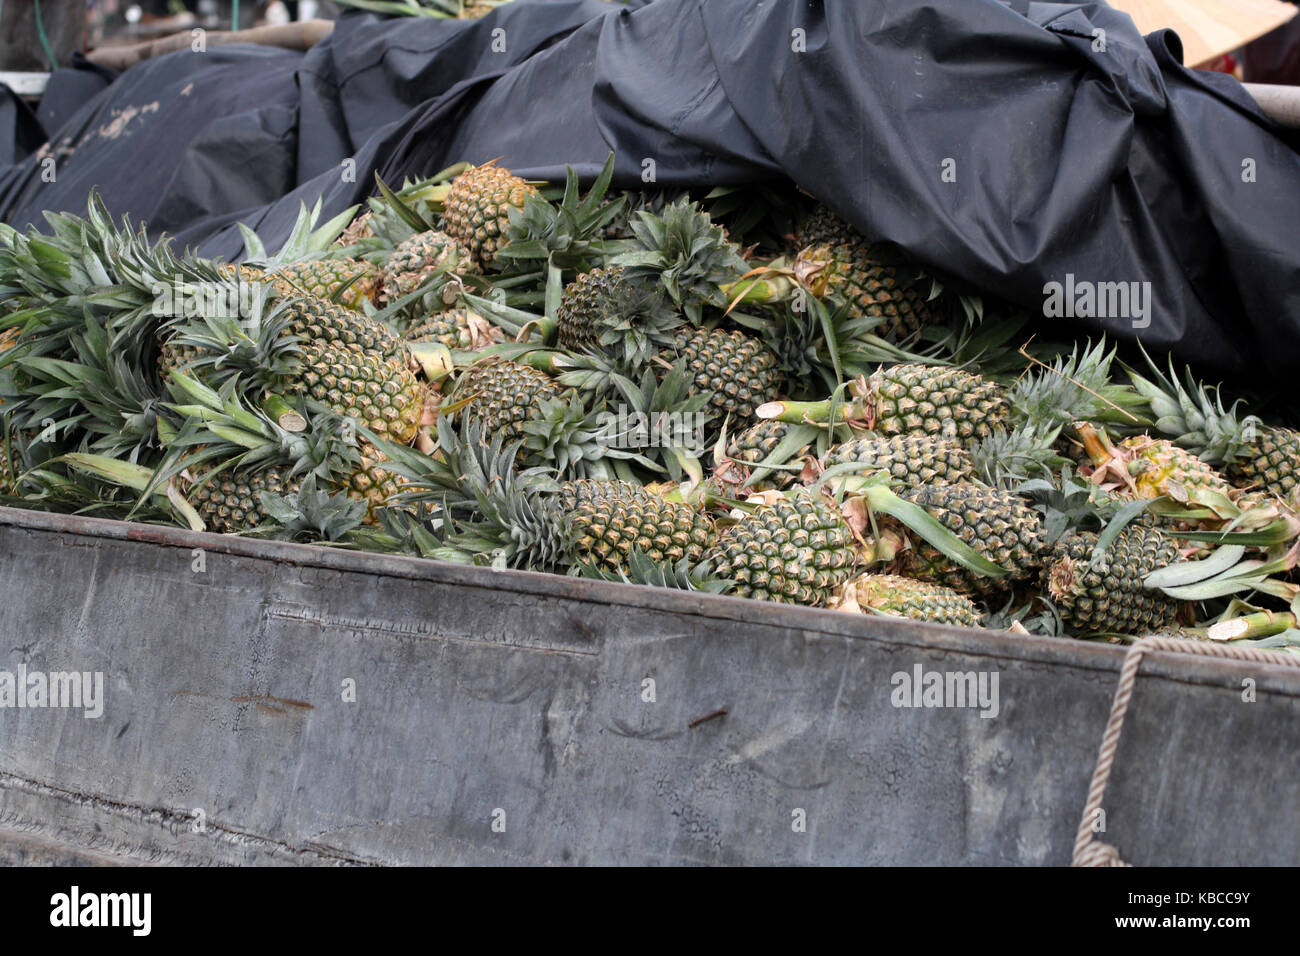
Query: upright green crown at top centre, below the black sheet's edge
x=692, y=257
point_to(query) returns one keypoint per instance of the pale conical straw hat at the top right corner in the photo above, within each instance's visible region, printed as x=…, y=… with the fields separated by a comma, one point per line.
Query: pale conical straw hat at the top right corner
x=1208, y=28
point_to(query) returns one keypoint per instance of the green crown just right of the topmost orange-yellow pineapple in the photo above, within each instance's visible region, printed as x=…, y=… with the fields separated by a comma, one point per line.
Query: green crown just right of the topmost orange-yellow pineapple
x=562, y=235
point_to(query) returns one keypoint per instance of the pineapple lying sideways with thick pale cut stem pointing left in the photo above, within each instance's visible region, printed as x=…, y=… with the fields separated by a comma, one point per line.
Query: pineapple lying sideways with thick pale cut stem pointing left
x=911, y=400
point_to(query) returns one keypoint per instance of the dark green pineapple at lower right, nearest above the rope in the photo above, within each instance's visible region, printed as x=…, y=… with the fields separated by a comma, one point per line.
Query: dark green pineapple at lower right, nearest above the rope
x=1110, y=598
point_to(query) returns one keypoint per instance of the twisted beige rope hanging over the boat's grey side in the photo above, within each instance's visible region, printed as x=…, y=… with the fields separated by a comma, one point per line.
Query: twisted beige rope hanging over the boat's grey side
x=1087, y=850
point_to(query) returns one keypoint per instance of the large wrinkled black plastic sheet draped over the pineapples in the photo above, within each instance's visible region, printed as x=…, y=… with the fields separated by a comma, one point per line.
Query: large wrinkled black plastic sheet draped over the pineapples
x=1009, y=148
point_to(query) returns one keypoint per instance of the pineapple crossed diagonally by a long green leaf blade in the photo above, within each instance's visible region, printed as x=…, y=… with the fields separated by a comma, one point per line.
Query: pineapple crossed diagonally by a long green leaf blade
x=999, y=526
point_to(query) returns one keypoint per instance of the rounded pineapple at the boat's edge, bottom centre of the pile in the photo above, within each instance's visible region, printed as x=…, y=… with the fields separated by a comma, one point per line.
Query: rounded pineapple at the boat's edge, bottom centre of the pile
x=794, y=551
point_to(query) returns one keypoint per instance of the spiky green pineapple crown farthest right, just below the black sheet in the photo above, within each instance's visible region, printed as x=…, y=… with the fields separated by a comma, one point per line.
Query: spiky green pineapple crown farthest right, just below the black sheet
x=1194, y=414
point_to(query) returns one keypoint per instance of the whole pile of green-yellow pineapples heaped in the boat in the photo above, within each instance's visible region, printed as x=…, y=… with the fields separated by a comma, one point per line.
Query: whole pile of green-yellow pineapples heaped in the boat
x=735, y=393
